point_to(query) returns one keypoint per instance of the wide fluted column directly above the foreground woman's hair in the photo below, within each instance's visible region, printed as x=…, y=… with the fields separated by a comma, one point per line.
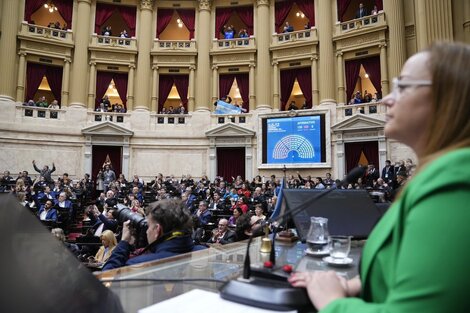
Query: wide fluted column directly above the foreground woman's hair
x=434, y=21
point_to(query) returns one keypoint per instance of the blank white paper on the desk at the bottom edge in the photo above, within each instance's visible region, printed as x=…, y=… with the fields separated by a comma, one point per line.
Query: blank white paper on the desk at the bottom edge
x=201, y=301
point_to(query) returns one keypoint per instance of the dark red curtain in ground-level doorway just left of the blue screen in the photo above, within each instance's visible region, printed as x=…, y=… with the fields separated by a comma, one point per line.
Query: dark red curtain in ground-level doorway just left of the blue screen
x=230, y=162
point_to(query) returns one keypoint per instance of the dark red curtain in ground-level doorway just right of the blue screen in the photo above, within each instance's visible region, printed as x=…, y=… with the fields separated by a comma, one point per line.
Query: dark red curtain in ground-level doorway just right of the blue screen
x=353, y=152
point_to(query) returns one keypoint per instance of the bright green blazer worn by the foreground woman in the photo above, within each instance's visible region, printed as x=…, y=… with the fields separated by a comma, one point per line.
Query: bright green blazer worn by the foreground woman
x=417, y=258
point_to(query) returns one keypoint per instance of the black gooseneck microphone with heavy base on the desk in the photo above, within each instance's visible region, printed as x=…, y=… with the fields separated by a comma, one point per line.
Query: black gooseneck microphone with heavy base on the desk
x=258, y=290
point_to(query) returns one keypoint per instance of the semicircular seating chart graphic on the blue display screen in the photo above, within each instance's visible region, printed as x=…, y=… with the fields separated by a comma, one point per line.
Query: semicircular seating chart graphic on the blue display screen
x=291, y=143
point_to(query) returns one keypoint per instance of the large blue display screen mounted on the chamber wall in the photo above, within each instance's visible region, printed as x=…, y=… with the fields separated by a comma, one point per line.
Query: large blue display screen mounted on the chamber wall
x=294, y=140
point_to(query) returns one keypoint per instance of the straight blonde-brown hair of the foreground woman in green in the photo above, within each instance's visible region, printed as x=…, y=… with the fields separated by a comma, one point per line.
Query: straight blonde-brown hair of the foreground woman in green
x=449, y=125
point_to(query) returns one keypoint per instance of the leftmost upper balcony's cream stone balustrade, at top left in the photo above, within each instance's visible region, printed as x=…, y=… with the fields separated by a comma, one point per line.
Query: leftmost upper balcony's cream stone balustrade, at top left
x=45, y=35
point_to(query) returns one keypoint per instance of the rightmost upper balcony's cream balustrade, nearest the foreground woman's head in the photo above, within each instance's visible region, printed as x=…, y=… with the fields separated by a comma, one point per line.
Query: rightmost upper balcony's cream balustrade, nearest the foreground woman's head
x=361, y=25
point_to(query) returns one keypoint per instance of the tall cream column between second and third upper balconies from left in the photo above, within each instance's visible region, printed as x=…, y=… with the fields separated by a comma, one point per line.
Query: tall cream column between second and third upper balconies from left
x=142, y=90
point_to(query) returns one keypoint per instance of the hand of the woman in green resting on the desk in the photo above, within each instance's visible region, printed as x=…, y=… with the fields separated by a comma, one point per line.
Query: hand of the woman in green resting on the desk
x=322, y=287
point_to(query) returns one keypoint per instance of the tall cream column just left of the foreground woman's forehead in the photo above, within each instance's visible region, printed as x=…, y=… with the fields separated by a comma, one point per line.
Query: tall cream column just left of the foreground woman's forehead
x=396, y=35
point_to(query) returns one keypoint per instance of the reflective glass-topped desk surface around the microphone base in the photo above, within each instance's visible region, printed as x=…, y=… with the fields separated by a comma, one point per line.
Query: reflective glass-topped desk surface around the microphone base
x=218, y=262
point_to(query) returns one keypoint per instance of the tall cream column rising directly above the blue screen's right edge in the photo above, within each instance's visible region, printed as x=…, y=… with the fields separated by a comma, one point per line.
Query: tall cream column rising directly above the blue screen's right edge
x=327, y=62
